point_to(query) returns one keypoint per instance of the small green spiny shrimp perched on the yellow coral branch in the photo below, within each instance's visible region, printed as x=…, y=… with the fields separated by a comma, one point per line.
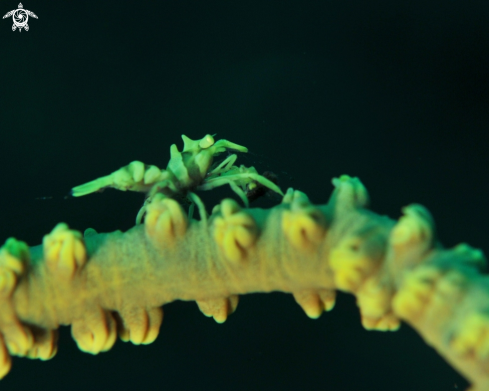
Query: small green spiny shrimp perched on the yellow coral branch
x=187, y=171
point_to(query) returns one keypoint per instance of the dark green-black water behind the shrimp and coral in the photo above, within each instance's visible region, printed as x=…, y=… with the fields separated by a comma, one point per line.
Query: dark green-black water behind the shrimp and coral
x=395, y=93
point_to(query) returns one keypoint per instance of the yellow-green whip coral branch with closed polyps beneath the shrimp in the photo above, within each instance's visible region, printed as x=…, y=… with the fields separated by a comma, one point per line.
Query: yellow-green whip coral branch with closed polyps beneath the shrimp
x=109, y=284
